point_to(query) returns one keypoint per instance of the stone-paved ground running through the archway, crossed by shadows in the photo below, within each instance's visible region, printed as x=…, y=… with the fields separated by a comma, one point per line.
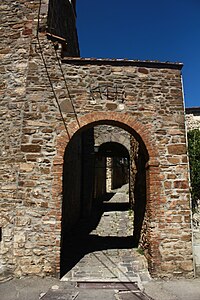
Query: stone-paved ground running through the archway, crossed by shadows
x=109, y=255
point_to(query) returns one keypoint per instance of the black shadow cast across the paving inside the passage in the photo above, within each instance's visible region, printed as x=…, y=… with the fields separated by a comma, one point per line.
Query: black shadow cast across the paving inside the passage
x=80, y=241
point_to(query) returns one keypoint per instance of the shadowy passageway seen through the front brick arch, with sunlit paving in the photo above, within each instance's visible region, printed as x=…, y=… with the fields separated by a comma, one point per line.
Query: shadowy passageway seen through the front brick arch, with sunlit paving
x=104, y=200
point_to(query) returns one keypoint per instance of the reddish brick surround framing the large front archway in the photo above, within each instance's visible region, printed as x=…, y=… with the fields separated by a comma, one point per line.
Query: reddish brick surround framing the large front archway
x=142, y=132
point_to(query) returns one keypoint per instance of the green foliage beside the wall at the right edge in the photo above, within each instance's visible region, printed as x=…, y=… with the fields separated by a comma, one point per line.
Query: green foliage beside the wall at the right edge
x=194, y=159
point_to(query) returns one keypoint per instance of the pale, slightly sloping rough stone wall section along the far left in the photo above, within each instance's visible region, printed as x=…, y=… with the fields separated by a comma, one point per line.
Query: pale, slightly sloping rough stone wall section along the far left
x=17, y=19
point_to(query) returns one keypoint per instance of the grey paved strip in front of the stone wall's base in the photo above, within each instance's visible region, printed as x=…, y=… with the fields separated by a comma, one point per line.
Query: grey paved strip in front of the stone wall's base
x=35, y=288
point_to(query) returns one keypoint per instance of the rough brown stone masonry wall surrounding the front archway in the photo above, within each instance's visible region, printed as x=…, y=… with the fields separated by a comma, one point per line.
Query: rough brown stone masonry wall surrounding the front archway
x=148, y=104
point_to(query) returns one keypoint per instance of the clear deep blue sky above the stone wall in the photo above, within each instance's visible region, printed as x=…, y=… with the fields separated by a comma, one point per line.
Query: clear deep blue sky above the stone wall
x=164, y=30
